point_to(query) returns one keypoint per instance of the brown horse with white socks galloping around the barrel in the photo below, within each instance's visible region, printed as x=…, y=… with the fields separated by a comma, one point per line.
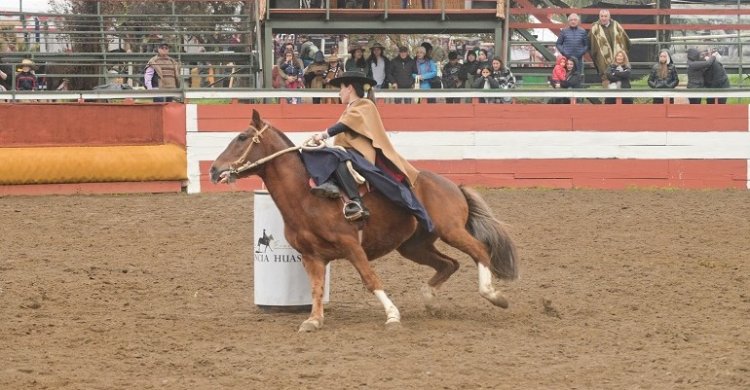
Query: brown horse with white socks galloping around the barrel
x=317, y=229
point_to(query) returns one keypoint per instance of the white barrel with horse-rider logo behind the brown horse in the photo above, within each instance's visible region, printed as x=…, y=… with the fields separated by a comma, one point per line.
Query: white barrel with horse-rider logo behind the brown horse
x=279, y=276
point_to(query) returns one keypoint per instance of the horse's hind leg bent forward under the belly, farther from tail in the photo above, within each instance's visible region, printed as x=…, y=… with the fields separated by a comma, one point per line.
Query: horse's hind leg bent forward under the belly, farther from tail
x=420, y=248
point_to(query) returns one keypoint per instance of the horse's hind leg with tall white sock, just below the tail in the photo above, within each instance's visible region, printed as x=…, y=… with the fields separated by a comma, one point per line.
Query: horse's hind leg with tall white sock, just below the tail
x=465, y=242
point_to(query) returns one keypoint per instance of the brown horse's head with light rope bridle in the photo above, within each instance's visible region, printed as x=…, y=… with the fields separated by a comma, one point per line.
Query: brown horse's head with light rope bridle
x=238, y=159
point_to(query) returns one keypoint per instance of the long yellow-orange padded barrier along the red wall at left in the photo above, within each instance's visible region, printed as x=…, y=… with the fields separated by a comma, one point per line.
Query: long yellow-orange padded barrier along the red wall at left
x=45, y=165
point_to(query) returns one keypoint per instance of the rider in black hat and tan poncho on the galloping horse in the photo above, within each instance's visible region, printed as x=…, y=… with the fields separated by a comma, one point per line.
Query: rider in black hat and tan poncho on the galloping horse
x=360, y=137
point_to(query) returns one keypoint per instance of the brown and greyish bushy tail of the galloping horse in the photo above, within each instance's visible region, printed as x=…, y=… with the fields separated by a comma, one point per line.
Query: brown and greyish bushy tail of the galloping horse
x=492, y=233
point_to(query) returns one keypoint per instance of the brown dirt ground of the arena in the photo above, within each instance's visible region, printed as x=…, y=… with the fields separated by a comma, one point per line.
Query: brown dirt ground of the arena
x=619, y=289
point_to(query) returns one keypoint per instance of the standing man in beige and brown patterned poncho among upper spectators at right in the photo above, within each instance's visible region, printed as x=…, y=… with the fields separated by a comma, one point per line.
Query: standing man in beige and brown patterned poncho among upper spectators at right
x=607, y=37
